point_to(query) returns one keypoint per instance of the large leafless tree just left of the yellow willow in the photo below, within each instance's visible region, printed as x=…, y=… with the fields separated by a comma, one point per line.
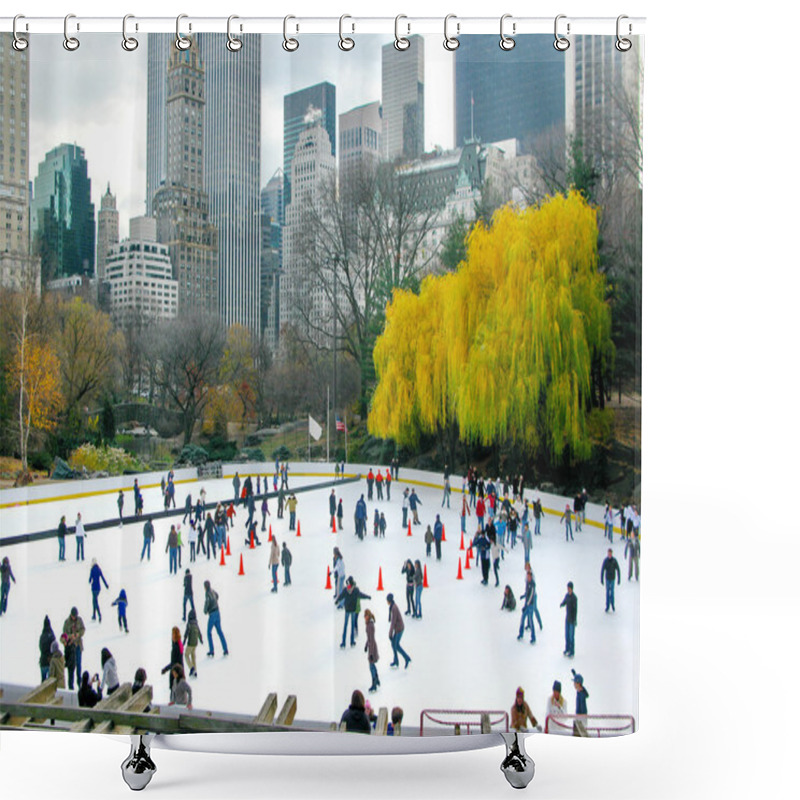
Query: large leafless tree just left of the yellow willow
x=361, y=242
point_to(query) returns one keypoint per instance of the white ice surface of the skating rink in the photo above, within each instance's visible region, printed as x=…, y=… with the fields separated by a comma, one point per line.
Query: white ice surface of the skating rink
x=465, y=653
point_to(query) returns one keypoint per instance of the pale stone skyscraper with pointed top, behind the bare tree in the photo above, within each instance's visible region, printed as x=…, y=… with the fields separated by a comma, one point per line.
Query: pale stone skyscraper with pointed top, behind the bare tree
x=303, y=302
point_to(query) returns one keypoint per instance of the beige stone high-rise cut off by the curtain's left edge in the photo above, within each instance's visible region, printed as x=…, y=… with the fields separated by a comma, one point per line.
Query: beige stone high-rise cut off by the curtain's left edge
x=14, y=195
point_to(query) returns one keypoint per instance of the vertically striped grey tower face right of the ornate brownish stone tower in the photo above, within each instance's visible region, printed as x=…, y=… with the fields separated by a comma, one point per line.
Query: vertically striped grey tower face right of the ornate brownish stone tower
x=232, y=171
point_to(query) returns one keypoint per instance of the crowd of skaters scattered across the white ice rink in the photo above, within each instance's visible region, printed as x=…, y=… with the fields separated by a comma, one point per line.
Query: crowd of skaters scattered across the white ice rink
x=499, y=524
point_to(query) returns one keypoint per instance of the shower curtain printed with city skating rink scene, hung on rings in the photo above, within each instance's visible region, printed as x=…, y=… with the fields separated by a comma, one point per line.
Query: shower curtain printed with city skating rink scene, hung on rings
x=327, y=362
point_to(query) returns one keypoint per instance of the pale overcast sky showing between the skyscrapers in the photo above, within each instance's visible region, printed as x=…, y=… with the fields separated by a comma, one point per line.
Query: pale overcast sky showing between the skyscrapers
x=96, y=97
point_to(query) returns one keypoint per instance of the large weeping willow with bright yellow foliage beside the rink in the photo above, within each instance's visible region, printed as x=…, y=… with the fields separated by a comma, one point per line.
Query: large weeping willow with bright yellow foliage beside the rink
x=505, y=346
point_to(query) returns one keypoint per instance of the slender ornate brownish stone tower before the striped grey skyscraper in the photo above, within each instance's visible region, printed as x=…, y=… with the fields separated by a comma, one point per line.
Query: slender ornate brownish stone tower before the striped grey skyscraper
x=181, y=205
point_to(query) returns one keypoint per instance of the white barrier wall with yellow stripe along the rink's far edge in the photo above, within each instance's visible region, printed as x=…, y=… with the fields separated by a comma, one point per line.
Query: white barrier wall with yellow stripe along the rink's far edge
x=55, y=492
